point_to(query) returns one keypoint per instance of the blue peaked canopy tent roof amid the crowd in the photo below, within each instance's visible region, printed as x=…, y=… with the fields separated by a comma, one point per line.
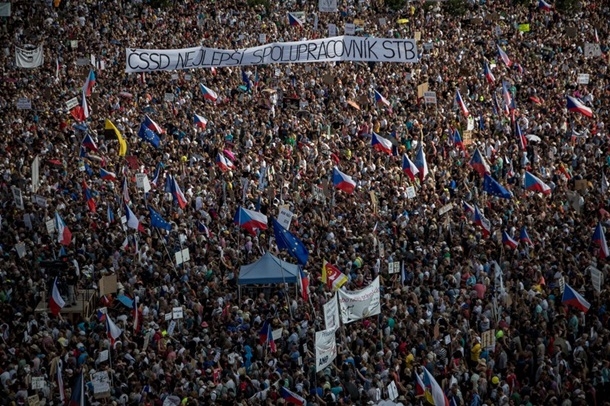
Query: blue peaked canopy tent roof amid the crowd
x=269, y=269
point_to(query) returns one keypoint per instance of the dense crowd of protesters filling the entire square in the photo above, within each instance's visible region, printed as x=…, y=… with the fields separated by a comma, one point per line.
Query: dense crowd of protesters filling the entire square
x=484, y=317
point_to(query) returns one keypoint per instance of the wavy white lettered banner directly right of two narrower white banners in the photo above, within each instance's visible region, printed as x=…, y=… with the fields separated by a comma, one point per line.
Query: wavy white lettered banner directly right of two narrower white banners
x=359, y=304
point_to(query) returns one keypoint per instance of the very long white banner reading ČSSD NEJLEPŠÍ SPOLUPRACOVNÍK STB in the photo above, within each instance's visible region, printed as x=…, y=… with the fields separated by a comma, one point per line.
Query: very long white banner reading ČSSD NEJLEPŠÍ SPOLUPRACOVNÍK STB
x=345, y=48
